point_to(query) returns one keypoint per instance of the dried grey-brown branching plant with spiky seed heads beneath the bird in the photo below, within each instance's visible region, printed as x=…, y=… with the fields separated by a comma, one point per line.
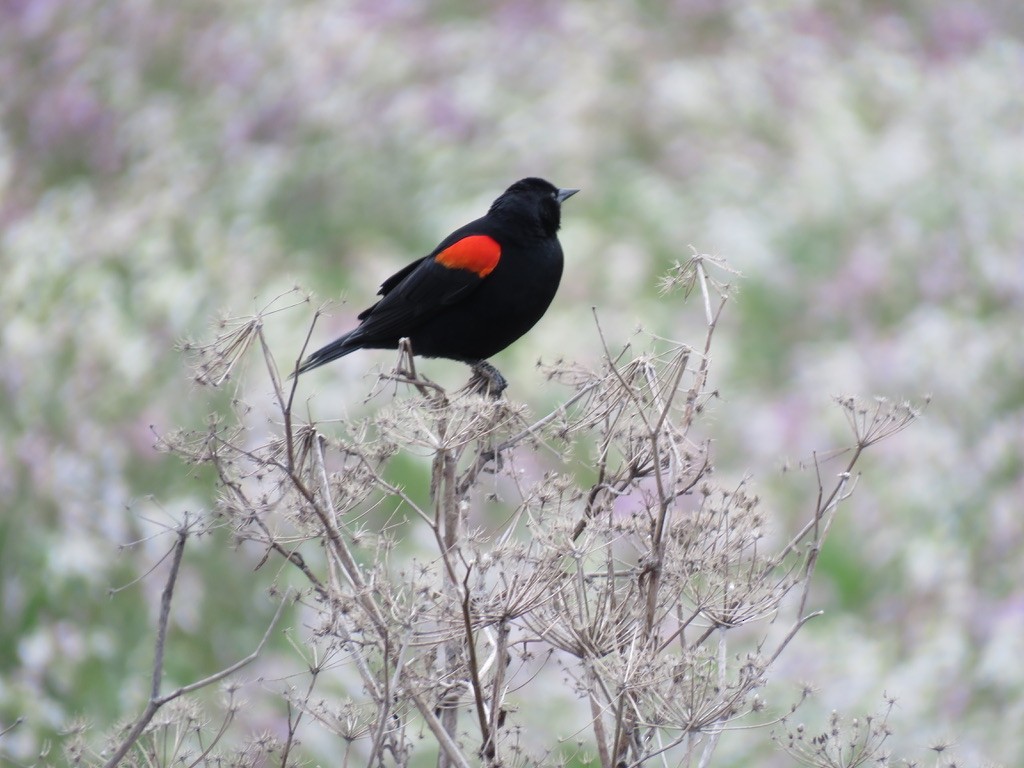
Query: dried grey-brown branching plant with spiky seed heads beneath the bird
x=655, y=592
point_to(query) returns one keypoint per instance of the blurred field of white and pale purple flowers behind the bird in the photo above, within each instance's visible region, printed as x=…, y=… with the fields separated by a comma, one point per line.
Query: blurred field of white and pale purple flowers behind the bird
x=861, y=163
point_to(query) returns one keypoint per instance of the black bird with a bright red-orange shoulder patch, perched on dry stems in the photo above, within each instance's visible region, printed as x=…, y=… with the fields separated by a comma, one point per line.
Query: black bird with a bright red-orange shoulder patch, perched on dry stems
x=483, y=288
